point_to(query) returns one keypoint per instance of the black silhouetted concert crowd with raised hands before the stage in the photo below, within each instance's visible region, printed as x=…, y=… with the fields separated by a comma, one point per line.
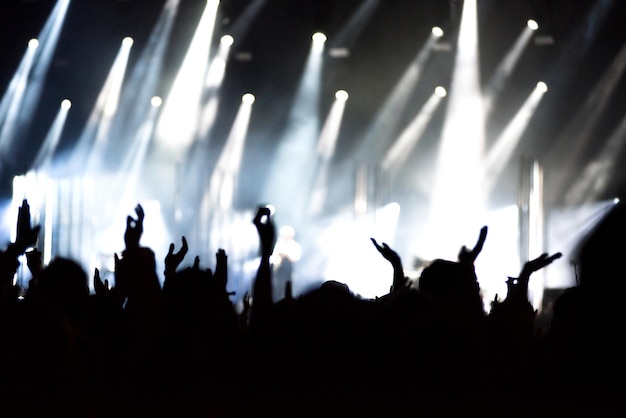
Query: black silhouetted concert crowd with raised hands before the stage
x=431, y=348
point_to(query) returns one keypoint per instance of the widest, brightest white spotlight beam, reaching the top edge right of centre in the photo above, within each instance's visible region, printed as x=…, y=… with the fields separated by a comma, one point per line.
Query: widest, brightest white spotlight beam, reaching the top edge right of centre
x=457, y=202
